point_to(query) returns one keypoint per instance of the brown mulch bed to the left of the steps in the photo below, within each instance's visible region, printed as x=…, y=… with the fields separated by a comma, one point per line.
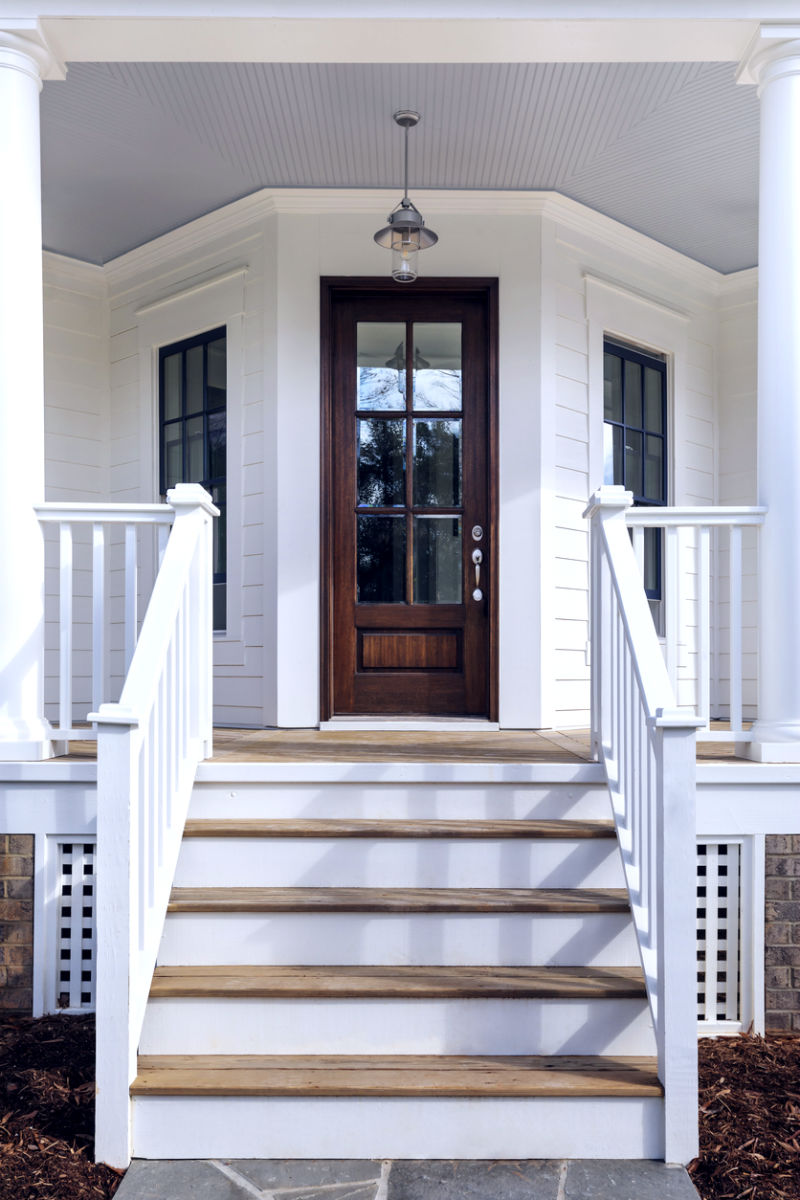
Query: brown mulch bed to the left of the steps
x=47, y=1112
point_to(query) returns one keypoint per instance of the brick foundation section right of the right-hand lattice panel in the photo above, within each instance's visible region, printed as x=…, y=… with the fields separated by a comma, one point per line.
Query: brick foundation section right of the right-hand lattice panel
x=783, y=933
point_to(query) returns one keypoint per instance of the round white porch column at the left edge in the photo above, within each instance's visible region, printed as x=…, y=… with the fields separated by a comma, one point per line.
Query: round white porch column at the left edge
x=25, y=734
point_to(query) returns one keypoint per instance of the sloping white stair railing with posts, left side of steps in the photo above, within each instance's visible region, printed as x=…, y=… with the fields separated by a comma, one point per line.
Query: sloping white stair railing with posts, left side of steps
x=148, y=749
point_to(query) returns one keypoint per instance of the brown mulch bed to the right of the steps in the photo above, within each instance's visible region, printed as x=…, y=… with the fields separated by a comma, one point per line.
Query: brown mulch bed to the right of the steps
x=750, y=1119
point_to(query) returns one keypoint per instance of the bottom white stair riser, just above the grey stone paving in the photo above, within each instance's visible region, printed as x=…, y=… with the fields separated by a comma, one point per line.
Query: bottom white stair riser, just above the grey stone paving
x=363, y=1127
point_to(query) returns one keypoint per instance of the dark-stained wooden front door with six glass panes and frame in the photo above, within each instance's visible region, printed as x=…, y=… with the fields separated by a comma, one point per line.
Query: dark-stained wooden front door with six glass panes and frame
x=410, y=497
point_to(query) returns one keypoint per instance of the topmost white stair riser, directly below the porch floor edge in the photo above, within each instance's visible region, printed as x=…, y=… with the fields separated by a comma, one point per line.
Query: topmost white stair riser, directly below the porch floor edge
x=402, y=800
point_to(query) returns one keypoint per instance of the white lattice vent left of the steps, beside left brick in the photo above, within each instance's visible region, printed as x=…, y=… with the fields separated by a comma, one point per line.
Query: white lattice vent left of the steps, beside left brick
x=76, y=892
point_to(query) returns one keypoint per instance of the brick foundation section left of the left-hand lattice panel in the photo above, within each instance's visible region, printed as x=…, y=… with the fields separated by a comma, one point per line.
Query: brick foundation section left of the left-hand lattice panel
x=16, y=923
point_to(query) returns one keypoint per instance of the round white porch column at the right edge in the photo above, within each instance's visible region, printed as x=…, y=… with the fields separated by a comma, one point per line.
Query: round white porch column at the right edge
x=774, y=65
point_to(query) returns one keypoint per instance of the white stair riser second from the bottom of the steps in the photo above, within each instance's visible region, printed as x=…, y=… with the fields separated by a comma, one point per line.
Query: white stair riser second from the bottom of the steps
x=219, y=1025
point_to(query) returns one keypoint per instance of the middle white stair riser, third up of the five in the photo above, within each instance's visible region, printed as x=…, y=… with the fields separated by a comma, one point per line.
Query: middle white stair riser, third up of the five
x=425, y=939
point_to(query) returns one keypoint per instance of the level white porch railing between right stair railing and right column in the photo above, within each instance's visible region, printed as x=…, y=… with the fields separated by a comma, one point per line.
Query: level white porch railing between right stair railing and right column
x=699, y=589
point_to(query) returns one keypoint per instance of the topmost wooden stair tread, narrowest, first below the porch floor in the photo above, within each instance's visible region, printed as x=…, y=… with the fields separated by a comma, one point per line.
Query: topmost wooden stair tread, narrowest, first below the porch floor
x=291, y=827
